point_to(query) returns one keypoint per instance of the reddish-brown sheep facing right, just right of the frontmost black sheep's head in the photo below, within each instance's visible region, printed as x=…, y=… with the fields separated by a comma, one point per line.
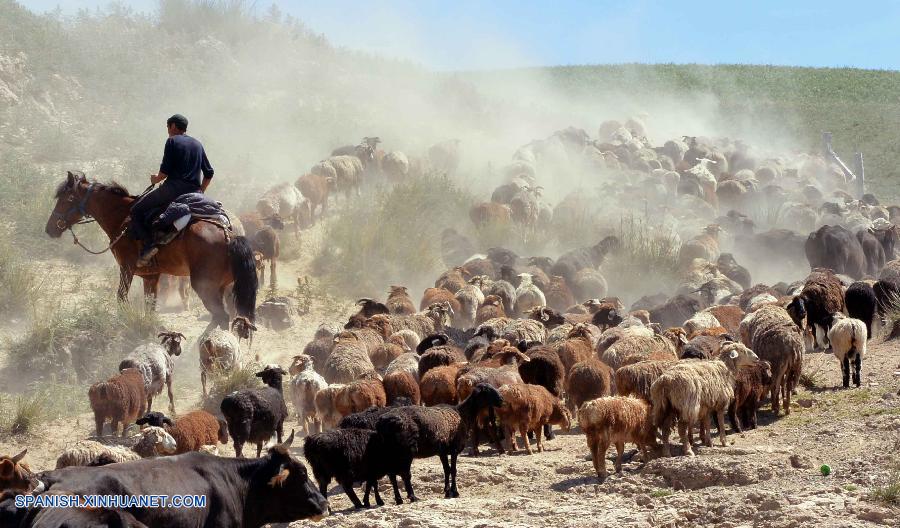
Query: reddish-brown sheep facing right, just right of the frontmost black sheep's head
x=528, y=408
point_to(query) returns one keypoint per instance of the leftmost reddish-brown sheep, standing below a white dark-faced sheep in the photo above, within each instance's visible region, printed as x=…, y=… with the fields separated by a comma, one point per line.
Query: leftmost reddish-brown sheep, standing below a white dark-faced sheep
x=121, y=398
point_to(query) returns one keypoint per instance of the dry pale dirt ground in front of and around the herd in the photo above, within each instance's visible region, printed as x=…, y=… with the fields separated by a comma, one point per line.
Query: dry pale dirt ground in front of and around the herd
x=769, y=477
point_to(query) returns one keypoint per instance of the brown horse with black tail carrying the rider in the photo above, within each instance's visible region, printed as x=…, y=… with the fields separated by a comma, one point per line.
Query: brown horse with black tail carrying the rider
x=212, y=258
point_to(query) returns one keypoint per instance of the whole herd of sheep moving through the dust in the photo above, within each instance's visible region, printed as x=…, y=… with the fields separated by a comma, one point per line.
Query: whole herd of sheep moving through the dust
x=504, y=347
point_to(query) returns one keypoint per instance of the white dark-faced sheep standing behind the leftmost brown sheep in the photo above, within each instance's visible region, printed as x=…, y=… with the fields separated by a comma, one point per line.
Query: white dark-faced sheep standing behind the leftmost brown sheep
x=156, y=365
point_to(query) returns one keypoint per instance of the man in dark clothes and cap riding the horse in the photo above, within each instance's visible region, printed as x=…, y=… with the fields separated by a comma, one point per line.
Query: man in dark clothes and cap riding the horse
x=183, y=162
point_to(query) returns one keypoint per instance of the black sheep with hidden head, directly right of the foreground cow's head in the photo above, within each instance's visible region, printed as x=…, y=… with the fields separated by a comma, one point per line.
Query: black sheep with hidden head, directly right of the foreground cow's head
x=347, y=456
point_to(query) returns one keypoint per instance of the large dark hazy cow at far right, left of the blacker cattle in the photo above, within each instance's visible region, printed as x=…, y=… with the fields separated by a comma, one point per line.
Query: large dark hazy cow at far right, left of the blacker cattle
x=836, y=248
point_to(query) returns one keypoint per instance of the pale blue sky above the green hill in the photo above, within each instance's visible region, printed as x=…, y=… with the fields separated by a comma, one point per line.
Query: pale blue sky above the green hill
x=467, y=34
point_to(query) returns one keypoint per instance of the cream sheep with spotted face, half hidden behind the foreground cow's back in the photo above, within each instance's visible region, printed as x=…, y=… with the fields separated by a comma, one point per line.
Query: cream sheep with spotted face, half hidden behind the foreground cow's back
x=151, y=441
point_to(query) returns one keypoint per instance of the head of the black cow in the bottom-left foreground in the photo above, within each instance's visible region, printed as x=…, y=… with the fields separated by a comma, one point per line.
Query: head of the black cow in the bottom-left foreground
x=280, y=490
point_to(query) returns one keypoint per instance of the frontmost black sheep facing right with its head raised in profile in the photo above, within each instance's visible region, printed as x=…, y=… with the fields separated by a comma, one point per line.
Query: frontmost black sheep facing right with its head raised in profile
x=422, y=432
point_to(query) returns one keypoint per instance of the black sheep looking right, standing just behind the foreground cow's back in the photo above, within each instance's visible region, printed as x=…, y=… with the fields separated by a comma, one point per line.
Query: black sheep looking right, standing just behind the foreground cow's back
x=254, y=415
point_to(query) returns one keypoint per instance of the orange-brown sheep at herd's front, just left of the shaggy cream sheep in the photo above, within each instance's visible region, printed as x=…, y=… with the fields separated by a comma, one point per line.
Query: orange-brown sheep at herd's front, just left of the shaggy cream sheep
x=615, y=420
